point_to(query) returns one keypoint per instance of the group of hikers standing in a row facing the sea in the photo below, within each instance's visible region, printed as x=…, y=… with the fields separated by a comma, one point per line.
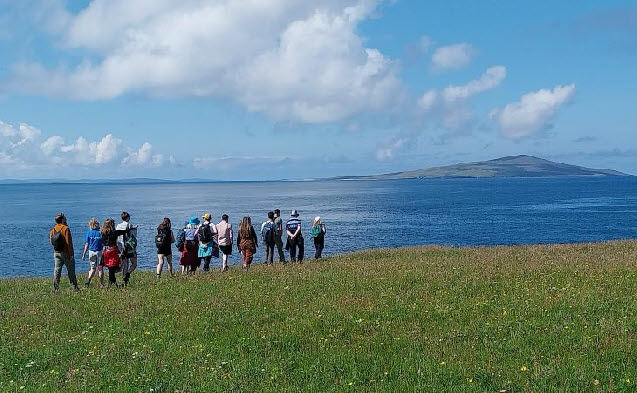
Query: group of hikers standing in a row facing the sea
x=114, y=247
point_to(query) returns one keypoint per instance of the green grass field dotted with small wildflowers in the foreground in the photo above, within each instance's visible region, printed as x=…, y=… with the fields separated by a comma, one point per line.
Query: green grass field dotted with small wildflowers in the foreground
x=537, y=318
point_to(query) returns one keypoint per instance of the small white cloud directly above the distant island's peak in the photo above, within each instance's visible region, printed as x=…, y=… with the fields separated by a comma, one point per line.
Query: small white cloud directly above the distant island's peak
x=534, y=111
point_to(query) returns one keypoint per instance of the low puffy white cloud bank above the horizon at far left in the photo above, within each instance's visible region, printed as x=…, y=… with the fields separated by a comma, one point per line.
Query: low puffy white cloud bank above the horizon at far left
x=23, y=149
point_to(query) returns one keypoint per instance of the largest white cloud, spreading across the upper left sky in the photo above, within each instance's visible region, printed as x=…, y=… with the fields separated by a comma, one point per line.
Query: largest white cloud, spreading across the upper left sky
x=291, y=60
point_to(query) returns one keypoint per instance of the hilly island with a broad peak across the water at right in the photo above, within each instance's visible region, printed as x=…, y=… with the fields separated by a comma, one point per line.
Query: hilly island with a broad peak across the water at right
x=510, y=166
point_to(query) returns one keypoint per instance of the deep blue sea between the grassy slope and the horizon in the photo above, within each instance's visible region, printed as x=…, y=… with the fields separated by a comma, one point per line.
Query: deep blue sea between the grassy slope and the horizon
x=358, y=214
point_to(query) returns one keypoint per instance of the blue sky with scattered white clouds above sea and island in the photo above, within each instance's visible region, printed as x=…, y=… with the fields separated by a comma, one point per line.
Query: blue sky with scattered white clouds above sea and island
x=288, y=89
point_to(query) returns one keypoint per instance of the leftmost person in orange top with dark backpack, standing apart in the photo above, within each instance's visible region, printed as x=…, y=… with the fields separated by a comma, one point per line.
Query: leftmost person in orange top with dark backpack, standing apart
x=60, y=239
